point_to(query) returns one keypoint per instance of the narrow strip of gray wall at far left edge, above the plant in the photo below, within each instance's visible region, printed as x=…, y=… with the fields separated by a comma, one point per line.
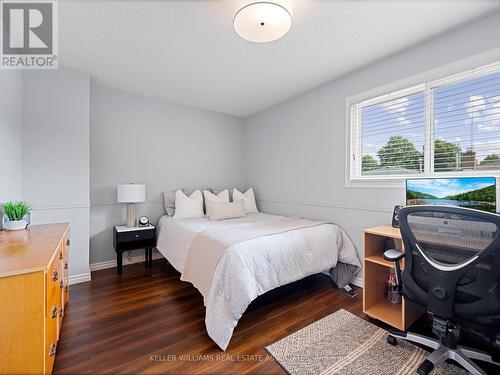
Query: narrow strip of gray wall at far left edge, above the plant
x=10, y=135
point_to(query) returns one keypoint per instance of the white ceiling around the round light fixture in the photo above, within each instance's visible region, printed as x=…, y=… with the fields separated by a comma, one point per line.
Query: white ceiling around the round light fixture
x=187, y=51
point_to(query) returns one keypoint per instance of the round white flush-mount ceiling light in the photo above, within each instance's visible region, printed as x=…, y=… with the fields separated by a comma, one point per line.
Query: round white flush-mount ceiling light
x=262, y=22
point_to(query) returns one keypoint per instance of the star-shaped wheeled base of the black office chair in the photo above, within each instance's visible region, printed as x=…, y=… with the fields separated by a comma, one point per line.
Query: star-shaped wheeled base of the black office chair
x=461, y=354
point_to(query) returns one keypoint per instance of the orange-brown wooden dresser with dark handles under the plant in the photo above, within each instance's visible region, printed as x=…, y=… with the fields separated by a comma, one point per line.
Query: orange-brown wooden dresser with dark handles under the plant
x=33, y=292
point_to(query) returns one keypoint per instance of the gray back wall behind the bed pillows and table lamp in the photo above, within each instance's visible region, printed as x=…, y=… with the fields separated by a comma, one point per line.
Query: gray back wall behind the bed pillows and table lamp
x=165, y=146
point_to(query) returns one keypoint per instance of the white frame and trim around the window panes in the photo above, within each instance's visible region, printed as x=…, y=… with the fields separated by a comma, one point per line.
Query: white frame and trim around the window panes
x=425, y=82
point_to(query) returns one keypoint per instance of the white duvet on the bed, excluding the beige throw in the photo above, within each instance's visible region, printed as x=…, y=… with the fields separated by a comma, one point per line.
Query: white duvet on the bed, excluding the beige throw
x=252, y=267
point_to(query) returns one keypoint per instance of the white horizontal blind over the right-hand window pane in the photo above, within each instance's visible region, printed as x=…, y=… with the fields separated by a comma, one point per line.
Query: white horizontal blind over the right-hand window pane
x=467, y=124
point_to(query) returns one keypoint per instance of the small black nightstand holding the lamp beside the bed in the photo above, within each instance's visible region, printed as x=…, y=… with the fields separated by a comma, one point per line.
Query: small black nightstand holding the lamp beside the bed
x=125, y=239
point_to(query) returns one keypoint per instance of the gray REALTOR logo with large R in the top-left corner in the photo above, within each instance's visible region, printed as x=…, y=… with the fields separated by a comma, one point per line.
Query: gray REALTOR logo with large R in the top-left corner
x=29, y=34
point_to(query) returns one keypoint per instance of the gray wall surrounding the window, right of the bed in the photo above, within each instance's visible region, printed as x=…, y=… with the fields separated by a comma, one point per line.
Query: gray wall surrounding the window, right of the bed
x=295, y=151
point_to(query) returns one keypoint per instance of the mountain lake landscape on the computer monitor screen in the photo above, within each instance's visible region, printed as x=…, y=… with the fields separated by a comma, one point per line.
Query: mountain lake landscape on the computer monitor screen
x=471, y=192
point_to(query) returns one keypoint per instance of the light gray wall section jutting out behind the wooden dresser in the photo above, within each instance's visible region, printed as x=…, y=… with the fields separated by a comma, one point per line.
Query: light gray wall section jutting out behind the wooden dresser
x=55, y=155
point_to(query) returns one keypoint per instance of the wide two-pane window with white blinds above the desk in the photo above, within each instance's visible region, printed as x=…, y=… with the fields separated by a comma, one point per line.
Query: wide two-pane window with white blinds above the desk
x=450, y=126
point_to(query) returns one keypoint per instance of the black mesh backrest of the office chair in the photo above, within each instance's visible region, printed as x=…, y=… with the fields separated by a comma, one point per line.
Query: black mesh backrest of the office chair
x=452, y=260
